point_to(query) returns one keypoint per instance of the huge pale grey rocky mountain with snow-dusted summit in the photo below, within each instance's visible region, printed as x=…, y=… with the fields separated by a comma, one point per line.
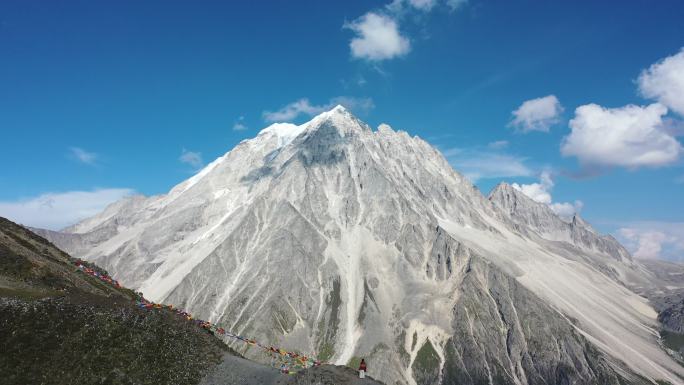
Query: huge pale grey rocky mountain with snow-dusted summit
x=334, y=239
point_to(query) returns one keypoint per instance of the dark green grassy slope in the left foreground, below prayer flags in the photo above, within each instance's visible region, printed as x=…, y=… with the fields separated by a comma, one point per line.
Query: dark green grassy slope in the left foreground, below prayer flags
x=59, y=326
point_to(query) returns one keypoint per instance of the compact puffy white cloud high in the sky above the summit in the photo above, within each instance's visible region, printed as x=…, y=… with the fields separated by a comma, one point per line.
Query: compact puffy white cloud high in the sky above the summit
x=377, y=38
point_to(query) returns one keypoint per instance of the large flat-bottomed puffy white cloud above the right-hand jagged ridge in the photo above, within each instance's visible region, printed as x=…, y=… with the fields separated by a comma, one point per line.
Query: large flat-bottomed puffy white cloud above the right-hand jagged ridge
x=630, y=136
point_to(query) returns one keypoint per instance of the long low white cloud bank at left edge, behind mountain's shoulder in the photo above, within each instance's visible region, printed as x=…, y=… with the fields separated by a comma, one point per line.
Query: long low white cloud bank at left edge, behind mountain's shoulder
x=57, y=210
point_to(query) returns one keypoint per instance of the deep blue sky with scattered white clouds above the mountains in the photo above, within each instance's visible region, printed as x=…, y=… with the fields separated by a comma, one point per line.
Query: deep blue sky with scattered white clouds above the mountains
x=99, y=99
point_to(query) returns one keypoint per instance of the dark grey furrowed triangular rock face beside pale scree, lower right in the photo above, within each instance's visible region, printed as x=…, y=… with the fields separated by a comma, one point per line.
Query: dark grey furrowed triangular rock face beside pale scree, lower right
x=504, y=334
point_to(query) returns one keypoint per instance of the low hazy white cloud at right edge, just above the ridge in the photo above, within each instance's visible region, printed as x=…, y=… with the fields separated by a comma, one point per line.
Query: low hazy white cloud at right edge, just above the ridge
x=654, y=240
